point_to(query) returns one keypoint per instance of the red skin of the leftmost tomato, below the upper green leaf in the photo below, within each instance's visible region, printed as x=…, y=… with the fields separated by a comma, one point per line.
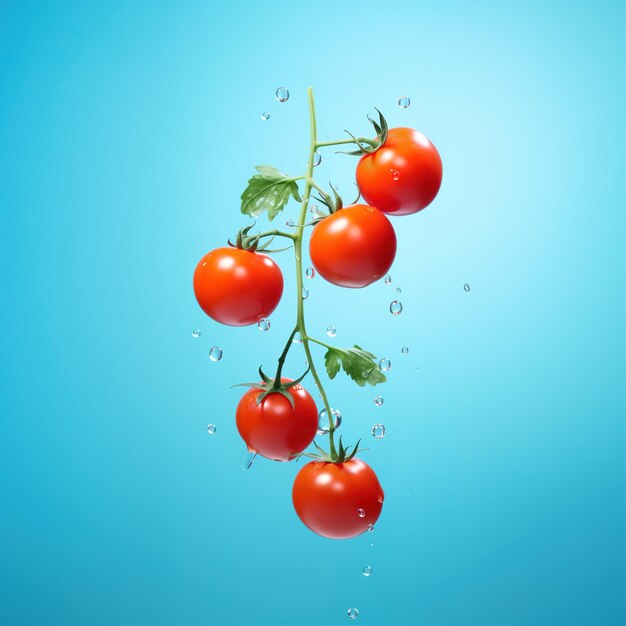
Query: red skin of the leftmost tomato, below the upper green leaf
x=237, y=287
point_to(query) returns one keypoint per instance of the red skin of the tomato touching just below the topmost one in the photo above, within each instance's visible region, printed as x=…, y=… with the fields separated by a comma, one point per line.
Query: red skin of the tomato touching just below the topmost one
x=354, y=246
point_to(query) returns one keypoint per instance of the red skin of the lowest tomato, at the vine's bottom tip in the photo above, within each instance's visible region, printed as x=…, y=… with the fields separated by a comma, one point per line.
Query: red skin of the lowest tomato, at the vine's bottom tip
x=327, y=498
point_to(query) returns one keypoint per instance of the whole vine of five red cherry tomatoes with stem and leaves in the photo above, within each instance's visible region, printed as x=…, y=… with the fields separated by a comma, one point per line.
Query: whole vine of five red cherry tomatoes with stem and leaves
x=336, y=495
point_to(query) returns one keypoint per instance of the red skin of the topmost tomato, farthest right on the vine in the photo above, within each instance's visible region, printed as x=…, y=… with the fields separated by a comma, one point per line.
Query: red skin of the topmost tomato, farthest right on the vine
x=403, y=176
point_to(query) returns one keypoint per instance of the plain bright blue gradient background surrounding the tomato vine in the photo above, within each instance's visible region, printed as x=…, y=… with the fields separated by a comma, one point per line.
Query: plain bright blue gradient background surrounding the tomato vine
x=127, y=132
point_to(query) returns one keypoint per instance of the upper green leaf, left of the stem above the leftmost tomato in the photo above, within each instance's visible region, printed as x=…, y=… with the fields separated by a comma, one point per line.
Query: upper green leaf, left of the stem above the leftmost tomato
x=269, y=190
